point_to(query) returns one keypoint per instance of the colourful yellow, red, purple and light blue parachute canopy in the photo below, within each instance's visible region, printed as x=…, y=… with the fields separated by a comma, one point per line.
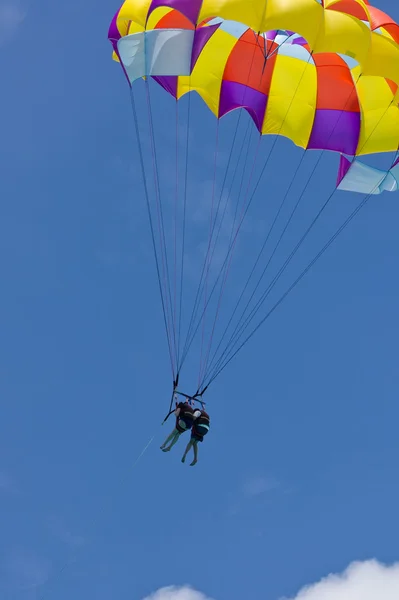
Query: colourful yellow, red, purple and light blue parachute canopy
x=323, y=73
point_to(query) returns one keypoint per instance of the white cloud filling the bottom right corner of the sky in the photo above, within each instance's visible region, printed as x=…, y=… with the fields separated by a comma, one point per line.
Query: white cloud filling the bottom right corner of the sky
x=369, y=580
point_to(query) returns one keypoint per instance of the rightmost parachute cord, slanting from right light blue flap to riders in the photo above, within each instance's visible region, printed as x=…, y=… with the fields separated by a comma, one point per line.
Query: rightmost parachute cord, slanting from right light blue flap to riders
x=304, y=272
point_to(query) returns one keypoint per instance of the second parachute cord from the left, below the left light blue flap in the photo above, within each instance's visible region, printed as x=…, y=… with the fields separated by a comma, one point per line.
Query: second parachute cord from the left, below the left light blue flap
x=161, y=227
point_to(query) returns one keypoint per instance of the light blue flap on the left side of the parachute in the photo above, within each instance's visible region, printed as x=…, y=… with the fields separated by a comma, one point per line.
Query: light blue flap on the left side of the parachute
x=157, y=52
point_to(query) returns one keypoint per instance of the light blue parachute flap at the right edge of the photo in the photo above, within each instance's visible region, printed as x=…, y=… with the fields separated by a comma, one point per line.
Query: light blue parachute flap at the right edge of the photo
x=357, y=177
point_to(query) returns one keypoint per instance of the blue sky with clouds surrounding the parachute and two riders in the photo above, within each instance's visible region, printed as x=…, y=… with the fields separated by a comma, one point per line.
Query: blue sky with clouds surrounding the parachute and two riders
x=295, y=493
